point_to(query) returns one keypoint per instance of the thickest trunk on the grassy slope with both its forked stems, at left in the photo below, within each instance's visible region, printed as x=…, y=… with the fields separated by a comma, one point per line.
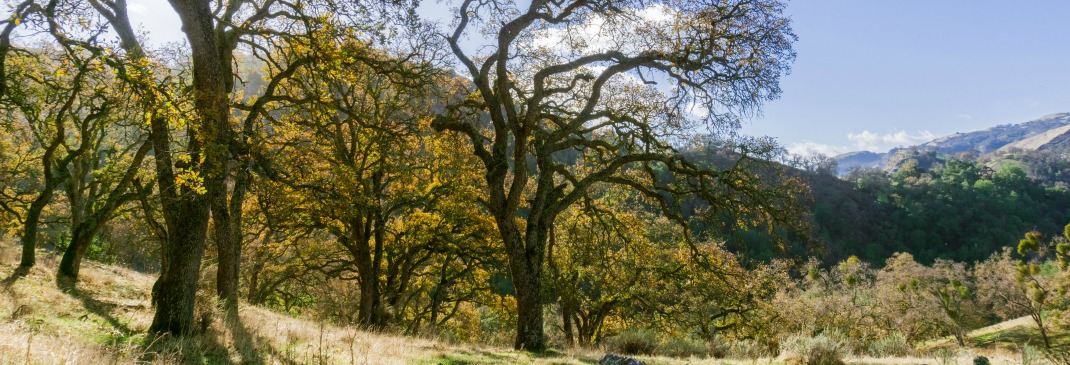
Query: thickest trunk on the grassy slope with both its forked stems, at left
x=186, y=210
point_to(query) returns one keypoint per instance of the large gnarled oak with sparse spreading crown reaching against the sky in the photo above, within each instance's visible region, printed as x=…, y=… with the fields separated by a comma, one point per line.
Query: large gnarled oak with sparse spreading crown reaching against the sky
x=618, y=84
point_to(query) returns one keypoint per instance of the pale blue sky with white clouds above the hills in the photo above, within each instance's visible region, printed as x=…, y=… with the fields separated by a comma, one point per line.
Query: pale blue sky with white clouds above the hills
x=873, y=75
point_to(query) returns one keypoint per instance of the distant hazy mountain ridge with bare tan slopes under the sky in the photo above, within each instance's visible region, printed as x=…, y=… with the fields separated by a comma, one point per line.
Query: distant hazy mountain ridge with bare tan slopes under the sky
x=1049, y=133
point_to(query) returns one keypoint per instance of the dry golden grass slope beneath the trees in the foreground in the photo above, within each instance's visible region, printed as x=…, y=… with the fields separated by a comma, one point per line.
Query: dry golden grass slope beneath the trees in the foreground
x=103, y=320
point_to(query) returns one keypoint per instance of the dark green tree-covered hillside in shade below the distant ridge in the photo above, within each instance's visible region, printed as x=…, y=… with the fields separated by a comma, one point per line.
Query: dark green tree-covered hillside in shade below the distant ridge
x=961, y=211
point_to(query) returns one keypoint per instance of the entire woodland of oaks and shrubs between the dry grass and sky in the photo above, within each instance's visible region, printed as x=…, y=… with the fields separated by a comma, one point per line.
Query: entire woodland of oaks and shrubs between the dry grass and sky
x=578, y=179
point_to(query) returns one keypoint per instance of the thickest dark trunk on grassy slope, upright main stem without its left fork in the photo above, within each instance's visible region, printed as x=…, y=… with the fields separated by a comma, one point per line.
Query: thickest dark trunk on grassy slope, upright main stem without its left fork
x=188, y=226
